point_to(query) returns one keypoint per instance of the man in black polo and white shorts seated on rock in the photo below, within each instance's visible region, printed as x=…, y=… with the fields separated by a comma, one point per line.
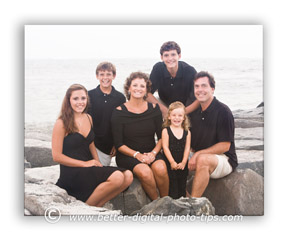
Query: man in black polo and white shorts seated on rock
x=212, y=136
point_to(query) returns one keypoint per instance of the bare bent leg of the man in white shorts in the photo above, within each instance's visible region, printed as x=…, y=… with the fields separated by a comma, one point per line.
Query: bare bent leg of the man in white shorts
x=205, y=165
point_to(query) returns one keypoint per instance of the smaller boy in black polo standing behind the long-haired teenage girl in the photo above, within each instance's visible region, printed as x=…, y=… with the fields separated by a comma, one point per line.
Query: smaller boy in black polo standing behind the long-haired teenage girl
x=103, y=100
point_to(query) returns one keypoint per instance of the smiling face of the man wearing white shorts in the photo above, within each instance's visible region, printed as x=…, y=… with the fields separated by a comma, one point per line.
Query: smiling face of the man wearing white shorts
x=203, y=91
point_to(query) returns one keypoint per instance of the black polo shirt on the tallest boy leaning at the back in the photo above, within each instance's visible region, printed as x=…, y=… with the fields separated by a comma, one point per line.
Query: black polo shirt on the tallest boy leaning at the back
x=180, y=88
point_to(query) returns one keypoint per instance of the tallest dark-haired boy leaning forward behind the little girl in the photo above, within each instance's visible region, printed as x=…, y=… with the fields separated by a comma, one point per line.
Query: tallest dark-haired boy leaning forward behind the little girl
x=173, y=79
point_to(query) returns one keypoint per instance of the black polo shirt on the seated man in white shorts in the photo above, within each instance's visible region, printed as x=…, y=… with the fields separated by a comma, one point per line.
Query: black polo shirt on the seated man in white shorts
x=214, y=125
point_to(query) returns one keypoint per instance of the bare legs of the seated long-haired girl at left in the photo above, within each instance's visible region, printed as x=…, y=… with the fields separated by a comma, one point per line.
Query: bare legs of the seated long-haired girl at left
x=115, y=184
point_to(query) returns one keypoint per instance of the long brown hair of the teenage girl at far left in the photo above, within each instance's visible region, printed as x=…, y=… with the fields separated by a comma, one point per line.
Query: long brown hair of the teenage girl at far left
x=66, y=113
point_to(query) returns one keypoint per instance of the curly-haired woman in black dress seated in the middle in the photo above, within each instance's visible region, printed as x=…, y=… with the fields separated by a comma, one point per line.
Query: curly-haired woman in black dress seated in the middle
x=134, y=125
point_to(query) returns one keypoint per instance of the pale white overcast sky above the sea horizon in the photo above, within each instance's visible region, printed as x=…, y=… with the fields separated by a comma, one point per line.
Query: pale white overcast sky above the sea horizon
x=142, y=41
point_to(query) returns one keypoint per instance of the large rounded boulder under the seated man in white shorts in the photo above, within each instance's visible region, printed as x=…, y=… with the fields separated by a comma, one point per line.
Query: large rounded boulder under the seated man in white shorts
x=240, y=193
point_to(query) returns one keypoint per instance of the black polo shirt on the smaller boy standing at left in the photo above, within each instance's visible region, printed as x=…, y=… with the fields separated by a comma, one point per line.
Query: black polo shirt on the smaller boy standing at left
x=100, y=108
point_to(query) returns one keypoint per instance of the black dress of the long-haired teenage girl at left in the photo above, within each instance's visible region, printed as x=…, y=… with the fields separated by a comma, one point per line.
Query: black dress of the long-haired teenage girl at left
x=80, y=182
